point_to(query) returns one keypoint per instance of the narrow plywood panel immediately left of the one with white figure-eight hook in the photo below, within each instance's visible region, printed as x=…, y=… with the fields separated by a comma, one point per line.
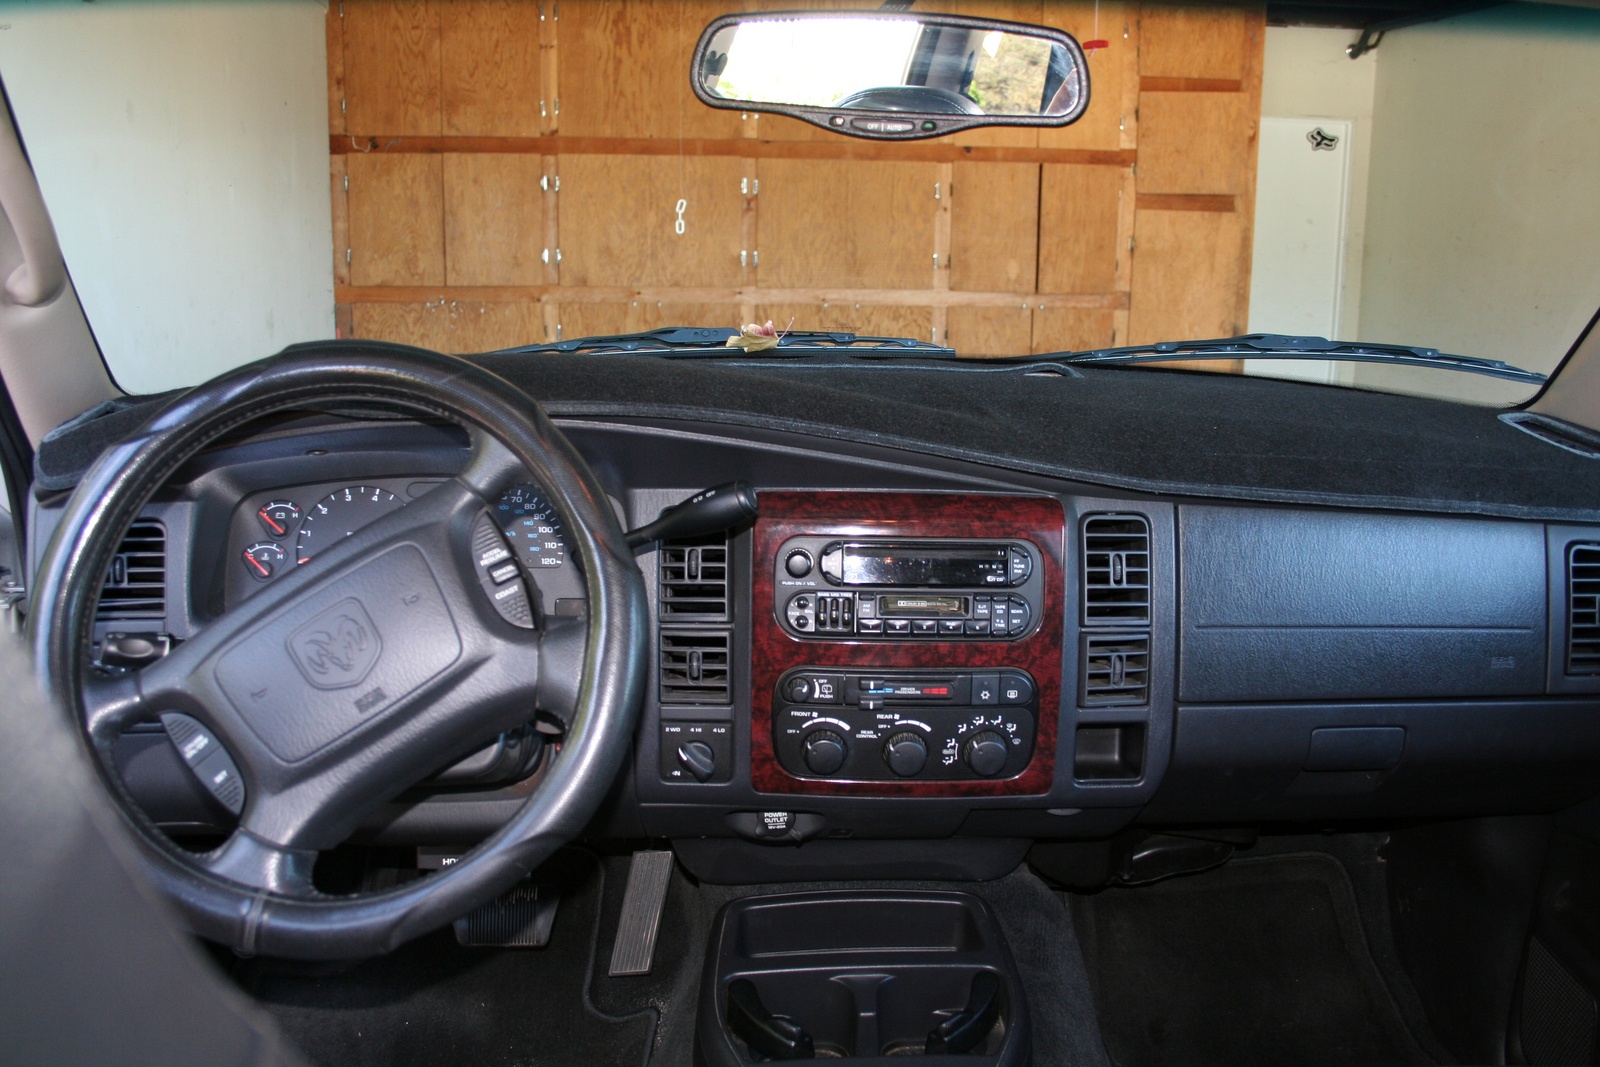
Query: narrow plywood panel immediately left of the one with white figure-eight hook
x=494, y=220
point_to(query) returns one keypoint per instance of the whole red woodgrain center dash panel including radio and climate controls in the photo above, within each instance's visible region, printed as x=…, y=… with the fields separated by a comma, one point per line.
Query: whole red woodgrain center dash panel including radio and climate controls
x=906, y=644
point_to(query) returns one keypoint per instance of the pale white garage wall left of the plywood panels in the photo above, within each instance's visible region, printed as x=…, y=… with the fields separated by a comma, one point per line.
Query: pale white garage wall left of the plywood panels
x=183, y=151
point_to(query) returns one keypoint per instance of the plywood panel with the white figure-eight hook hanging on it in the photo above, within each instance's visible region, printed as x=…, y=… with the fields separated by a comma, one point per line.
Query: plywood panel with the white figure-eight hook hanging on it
x=618, y=215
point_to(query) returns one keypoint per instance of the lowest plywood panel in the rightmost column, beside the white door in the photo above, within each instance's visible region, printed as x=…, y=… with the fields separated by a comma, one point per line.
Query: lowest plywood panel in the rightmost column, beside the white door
x=1186, y=274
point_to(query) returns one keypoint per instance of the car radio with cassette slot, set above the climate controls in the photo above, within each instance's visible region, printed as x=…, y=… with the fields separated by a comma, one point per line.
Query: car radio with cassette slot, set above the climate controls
x=892, y=589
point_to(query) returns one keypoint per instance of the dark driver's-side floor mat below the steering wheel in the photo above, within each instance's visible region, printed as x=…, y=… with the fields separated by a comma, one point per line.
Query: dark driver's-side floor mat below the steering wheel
x=433, y=1002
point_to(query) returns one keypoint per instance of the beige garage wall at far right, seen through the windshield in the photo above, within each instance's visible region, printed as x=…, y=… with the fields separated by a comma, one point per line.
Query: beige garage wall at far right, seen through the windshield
x=1484, y=206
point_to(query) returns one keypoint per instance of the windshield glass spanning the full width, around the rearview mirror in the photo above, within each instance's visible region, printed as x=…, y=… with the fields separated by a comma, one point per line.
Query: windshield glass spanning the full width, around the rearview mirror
x=230, y=178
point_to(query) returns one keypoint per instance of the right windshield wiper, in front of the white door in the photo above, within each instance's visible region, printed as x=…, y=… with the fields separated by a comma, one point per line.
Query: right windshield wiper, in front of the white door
x=1274, y=346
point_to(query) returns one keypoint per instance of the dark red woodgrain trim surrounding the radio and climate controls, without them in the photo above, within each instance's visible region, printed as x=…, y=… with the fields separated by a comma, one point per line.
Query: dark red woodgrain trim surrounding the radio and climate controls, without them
x=1036, y=519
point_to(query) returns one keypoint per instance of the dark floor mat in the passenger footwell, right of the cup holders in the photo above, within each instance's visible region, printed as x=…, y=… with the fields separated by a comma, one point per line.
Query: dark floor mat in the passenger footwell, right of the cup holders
x=1260, y=962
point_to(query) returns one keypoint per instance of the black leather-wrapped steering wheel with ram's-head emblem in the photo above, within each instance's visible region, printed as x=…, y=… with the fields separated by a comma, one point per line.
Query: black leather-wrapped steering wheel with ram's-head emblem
x=346, y=682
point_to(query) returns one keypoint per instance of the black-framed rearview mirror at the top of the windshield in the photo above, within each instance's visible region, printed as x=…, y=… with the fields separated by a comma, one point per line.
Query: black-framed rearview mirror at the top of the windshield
x=879, y=74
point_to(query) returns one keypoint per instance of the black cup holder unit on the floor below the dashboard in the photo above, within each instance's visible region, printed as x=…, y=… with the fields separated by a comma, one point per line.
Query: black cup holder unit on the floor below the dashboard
x=862, y=978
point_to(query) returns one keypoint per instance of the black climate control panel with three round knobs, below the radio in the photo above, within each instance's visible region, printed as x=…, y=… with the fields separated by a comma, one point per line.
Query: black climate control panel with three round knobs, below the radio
x=898, y=725
